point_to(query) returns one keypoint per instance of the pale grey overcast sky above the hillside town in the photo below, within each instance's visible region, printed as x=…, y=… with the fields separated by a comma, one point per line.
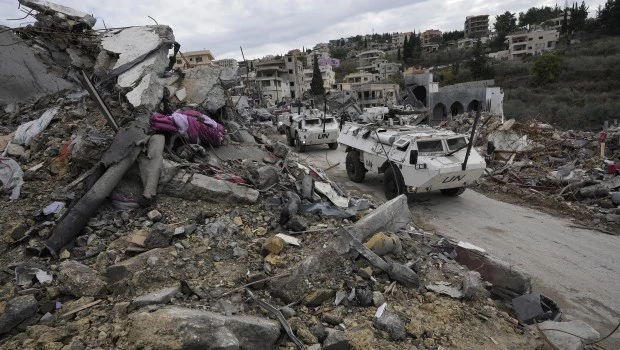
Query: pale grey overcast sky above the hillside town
x=265, y=27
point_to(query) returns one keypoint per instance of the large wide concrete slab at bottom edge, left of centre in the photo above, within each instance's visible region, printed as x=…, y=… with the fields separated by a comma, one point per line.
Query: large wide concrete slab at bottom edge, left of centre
x=177, y=327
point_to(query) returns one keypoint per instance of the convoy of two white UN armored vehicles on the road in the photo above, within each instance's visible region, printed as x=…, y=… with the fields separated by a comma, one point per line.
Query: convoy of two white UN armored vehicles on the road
x=412, y=158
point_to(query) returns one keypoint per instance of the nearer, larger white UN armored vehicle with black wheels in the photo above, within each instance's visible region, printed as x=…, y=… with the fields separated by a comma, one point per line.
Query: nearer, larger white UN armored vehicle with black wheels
x=413, y=159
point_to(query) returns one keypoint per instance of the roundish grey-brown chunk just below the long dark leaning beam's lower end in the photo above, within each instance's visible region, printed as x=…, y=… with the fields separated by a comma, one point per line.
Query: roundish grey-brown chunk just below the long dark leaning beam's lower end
x=79, y=280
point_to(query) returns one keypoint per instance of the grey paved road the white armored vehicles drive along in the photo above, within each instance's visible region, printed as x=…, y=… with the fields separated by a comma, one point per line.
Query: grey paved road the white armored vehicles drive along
x=579, y=269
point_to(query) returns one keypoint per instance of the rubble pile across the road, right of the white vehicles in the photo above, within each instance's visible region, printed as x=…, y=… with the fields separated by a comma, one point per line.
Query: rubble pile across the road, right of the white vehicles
x=572, y=172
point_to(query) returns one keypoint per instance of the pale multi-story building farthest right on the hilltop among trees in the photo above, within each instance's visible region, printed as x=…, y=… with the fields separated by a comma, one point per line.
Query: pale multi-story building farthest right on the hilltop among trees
x=531, y=43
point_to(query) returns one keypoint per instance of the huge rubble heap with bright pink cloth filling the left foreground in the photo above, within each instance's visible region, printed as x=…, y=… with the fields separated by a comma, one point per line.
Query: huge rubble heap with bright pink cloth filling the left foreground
x=145, y=212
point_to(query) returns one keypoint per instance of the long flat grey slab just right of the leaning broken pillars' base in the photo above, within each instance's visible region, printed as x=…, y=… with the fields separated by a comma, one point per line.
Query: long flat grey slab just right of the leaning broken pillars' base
x=182, y=184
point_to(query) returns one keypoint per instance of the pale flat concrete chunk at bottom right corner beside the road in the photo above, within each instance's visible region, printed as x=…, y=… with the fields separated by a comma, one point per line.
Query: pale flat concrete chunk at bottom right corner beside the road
x=560, y=334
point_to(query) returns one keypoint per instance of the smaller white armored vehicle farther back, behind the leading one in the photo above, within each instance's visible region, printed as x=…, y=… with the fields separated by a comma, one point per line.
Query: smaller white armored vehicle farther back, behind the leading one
x=309, y=127
